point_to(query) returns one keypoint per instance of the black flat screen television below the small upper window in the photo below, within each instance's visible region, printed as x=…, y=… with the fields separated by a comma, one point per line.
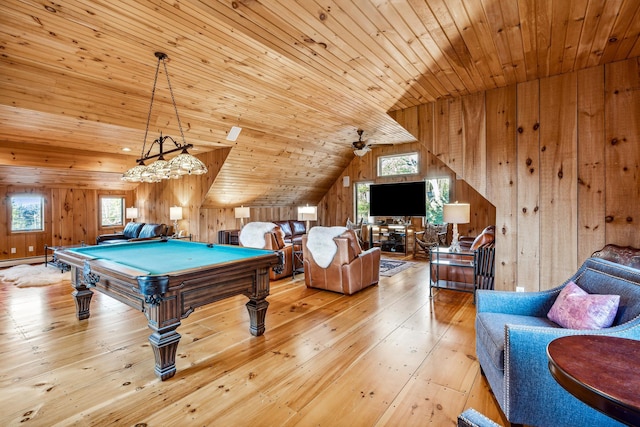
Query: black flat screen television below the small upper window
x=398, y=199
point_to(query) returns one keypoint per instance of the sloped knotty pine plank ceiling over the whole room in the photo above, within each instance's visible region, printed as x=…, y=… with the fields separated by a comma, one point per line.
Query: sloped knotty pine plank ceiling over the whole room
x=300, y=77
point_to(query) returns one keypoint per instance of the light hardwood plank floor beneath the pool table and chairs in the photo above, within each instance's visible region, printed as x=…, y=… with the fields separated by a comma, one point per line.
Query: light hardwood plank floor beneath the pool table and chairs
x=387, y=356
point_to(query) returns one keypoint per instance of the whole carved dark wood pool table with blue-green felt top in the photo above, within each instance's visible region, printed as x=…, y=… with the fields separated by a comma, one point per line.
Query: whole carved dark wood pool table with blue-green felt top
x=167, y=280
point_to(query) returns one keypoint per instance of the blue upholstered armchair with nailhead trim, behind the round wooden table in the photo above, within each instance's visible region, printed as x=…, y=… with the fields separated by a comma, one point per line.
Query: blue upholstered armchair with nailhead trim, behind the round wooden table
x=512, y=334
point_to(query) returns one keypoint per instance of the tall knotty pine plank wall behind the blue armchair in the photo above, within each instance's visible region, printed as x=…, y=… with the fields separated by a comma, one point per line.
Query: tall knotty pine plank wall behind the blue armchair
x=561, y=160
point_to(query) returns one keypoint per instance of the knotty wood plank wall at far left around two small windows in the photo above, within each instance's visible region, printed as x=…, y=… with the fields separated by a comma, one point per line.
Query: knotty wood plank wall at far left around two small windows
x=71, y=218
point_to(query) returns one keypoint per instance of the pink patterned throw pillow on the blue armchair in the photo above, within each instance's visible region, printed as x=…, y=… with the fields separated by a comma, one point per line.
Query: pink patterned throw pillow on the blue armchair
x=576, y=309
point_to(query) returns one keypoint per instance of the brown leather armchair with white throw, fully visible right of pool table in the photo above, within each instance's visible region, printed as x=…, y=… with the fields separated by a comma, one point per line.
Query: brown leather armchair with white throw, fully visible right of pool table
x=334, y=261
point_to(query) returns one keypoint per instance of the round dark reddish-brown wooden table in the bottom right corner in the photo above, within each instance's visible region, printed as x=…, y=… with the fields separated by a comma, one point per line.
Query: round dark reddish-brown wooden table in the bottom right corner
x=600, y=370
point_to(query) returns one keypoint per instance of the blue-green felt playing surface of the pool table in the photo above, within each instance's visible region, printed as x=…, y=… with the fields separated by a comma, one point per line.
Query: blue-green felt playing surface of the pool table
x=165, y=257
